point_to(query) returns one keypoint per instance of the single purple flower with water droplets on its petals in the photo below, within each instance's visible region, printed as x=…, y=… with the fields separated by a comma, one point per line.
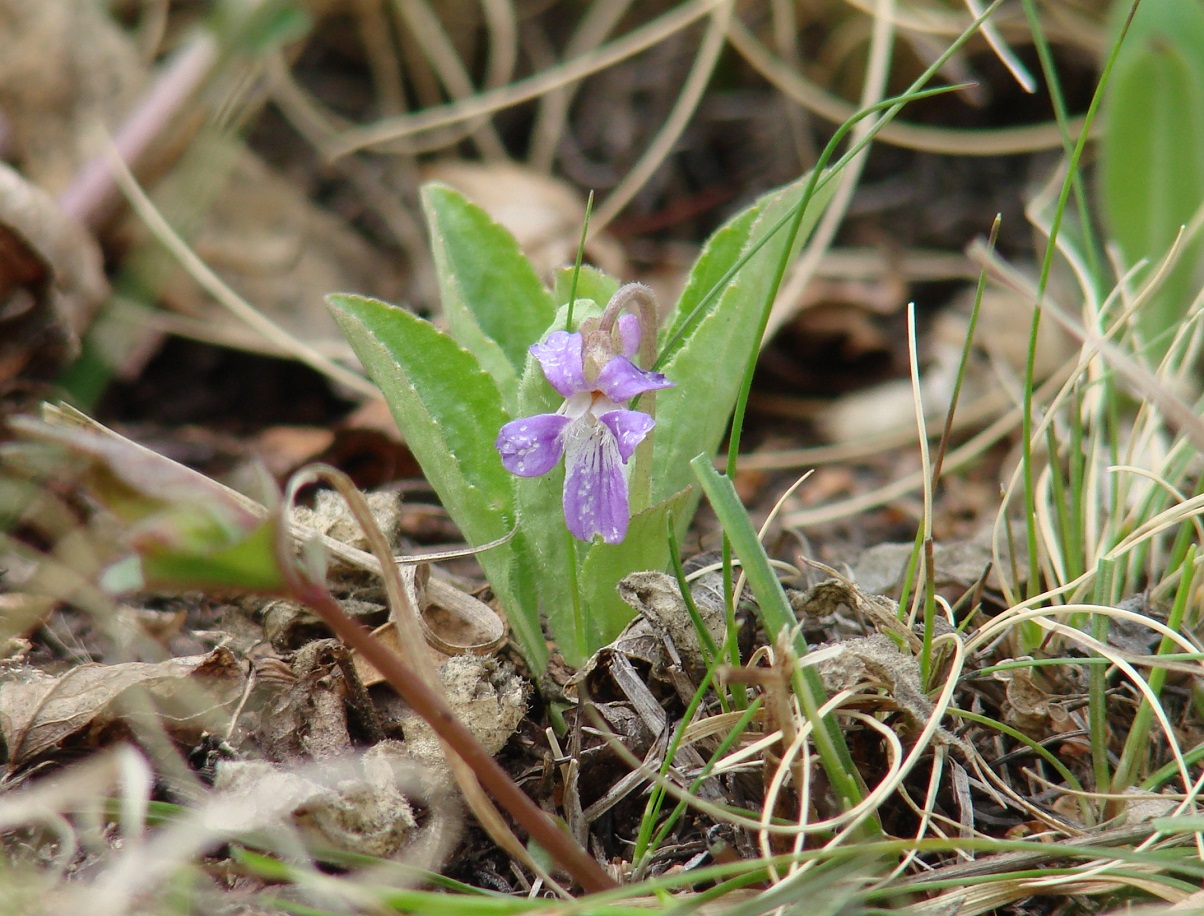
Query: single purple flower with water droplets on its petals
x=592, y=430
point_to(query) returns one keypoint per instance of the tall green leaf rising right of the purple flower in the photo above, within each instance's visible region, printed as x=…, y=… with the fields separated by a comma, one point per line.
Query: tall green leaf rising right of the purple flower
x=709, y=363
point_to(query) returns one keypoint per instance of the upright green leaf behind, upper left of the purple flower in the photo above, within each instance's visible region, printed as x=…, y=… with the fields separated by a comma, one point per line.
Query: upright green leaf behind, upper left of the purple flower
x=494, y=303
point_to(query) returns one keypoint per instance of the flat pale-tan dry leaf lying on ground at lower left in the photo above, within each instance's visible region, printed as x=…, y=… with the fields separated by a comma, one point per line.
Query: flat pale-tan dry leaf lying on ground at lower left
x=190, y=695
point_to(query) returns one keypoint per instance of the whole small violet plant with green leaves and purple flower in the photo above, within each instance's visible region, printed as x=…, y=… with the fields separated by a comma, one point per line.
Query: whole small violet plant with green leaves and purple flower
x=562, y=436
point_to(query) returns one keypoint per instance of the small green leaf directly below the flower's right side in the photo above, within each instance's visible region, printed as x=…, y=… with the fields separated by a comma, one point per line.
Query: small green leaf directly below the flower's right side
x=605, y=565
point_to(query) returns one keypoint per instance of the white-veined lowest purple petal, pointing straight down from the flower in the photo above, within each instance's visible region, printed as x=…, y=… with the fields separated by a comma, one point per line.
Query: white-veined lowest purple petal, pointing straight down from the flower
x=595, y=487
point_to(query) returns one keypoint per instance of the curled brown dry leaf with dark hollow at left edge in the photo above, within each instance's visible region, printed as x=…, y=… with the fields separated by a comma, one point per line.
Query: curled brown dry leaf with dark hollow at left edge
x=51, y=280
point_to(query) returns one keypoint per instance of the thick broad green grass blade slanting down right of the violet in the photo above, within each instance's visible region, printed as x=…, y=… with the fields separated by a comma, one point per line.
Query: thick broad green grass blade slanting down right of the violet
x=780, y=620
